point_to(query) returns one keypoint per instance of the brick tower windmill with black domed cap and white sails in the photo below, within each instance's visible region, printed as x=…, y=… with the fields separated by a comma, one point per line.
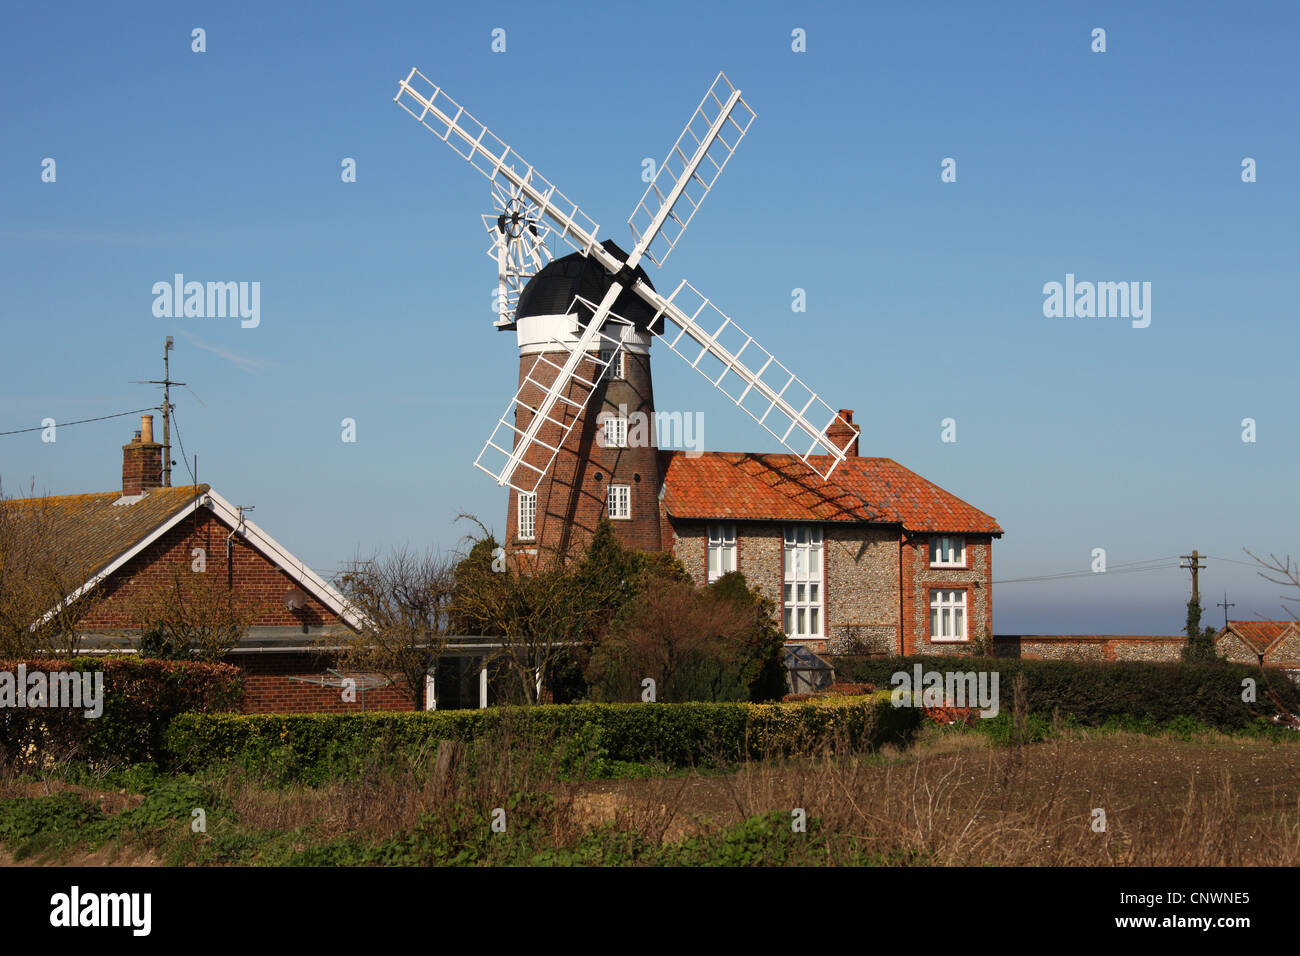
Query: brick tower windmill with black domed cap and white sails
x=583, y=315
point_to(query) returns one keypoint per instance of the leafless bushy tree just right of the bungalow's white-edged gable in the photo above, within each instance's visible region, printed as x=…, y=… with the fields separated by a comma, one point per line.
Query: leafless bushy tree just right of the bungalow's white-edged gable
x=404, y=599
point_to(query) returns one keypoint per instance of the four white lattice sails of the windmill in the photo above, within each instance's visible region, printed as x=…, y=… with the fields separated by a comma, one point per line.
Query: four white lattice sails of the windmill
x=714, y=131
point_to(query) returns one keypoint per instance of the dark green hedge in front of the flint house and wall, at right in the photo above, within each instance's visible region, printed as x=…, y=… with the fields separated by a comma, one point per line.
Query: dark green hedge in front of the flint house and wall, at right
x=1095, y=693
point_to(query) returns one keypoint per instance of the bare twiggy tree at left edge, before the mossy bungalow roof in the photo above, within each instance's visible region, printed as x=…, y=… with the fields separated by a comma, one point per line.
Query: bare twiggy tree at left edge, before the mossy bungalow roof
x=42, y=596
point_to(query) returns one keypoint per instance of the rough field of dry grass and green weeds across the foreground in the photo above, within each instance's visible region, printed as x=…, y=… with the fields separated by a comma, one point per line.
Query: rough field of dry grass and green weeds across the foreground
x=954, y=798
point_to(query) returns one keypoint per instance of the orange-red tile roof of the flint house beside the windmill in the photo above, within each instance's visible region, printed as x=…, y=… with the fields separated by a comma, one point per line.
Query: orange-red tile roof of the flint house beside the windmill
x=759, y=487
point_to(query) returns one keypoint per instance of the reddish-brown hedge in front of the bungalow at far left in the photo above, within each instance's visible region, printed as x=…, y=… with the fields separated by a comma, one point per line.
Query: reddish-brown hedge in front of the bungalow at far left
x=140, y=700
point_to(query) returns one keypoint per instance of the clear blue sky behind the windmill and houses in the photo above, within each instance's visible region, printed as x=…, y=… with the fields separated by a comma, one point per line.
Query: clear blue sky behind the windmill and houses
x=925, y=299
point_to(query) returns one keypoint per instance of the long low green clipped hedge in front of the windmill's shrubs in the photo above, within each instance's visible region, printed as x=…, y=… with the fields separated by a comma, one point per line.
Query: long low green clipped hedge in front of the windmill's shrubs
x=315, y=747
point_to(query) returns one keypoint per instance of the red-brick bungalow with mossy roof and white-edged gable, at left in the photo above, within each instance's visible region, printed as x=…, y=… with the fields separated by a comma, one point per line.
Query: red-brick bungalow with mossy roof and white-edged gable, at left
x=131, y=540
